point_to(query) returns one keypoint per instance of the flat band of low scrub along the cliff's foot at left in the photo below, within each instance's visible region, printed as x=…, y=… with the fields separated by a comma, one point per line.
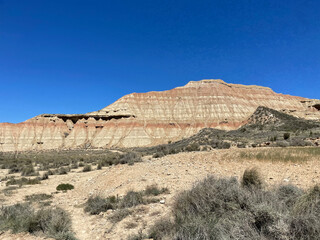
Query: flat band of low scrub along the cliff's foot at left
x=61, y=162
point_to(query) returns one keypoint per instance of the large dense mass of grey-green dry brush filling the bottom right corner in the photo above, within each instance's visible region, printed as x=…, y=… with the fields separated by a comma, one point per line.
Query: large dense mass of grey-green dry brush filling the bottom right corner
x=225, y=209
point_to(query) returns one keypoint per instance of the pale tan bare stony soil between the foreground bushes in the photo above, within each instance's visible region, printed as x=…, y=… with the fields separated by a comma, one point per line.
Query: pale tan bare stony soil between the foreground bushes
x=176, y=172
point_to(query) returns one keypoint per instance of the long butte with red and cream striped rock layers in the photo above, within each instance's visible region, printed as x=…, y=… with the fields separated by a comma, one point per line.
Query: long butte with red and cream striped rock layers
x=146, y=119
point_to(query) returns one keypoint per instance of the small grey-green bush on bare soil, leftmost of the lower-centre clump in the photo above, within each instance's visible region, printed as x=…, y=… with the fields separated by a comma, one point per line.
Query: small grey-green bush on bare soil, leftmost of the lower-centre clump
x=97, y=204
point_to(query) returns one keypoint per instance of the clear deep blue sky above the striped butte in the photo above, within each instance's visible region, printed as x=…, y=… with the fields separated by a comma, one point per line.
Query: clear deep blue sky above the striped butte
x=74, y=56
